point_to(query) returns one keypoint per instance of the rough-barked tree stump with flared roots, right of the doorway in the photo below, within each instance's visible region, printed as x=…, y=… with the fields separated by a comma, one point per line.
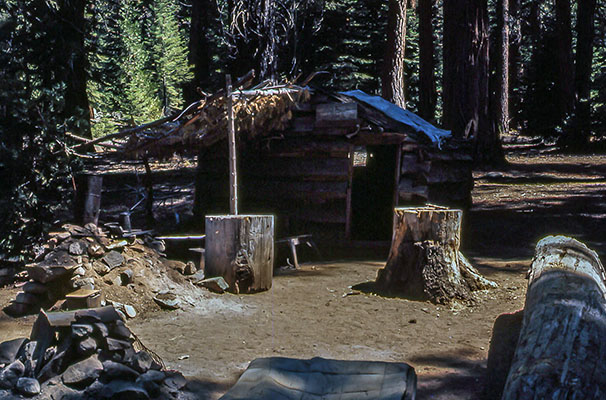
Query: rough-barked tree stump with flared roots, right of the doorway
x=425, y=262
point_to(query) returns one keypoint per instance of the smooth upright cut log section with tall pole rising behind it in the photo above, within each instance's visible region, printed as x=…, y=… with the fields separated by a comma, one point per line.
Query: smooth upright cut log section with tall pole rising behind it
x=240, y=248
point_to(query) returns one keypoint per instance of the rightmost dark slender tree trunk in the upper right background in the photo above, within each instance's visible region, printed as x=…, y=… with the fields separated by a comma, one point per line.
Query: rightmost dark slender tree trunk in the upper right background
x=584, y=58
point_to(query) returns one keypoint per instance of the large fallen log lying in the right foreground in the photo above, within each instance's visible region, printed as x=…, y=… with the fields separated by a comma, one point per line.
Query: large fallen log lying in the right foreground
x=561, y=349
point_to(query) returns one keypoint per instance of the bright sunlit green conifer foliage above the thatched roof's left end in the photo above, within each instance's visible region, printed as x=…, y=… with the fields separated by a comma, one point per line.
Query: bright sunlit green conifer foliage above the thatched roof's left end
x=138, y=57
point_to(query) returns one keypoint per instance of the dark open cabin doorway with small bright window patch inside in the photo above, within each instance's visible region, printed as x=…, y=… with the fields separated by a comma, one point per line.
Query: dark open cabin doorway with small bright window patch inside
x=372, y=195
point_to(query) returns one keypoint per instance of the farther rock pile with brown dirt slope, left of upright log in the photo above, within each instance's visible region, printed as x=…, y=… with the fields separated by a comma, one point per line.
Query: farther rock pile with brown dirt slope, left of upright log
x=90, y=269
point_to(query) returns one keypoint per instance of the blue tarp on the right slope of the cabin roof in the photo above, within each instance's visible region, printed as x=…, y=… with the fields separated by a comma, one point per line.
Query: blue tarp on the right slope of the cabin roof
x=406, y=117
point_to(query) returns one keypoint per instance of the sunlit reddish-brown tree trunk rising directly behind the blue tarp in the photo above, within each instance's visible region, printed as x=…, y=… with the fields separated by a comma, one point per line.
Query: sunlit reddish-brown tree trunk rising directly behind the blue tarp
x=393, y=62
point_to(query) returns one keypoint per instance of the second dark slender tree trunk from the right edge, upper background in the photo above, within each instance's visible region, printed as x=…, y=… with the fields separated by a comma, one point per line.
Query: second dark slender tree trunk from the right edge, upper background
x=565, y=65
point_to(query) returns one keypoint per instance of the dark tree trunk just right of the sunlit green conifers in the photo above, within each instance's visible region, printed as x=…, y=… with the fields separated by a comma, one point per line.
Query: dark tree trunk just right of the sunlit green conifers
x=203, y=13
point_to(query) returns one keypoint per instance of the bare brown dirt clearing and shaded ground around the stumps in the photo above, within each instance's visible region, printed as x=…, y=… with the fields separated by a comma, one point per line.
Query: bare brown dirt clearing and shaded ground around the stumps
x=315, y=312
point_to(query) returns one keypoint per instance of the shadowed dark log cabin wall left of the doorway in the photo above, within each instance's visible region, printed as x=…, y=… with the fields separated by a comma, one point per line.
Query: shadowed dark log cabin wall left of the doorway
x=304, y=180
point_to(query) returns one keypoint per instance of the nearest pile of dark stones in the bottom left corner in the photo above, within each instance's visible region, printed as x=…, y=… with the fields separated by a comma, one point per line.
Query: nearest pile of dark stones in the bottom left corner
x=86, y=354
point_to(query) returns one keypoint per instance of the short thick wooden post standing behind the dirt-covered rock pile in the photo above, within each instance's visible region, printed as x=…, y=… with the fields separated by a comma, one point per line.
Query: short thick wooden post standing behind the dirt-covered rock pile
x=87, y=202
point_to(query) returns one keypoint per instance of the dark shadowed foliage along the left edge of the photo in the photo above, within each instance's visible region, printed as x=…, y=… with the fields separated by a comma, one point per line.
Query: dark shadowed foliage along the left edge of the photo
x=34, y=170
